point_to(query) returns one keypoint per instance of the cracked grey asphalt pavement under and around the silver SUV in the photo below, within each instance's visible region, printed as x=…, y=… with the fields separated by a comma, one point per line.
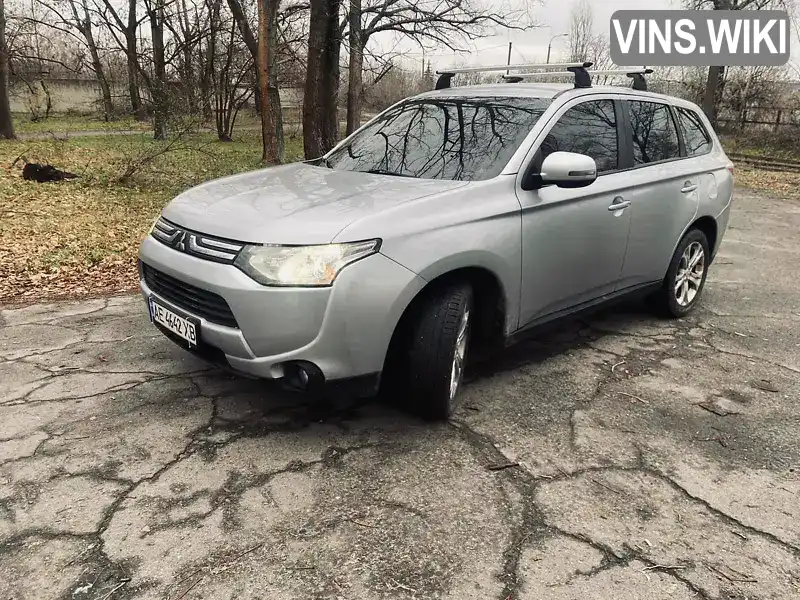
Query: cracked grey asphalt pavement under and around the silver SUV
x=620, y=456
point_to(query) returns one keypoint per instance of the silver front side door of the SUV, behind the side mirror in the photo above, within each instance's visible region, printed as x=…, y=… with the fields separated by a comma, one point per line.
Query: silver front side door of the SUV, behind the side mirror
x=573, y=240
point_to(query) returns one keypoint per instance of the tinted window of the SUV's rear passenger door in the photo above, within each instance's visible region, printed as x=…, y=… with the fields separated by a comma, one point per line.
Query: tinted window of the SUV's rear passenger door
x=655, y=137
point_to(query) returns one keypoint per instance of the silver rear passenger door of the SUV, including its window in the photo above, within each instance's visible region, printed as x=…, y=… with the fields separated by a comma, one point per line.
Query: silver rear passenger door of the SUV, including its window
x=664, y=190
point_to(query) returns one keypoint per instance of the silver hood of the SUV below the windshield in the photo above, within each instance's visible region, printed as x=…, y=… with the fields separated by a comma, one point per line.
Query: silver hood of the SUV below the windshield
x=293, y=204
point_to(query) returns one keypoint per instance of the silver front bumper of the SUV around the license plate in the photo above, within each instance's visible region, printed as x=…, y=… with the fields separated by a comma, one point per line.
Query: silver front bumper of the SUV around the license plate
x=344, y=329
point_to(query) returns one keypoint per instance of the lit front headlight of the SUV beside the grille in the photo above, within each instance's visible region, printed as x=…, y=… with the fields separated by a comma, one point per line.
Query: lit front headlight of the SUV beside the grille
x=301, y=265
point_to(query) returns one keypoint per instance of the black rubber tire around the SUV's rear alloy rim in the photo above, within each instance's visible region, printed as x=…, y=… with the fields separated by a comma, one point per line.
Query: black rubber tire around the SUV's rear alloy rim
x=667, y=297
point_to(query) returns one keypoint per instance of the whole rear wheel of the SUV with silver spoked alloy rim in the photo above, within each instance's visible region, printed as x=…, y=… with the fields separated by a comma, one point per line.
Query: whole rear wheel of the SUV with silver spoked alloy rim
x=686, y=275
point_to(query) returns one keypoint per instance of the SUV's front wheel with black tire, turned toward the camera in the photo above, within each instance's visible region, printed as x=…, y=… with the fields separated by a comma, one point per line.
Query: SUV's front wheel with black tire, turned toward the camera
x=432, y=347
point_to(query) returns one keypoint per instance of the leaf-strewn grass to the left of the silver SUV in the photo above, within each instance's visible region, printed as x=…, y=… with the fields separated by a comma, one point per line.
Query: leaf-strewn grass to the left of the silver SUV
x=81, y=237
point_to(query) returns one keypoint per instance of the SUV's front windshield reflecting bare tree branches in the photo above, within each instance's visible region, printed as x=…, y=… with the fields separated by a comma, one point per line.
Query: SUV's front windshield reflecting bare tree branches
x=441, y=138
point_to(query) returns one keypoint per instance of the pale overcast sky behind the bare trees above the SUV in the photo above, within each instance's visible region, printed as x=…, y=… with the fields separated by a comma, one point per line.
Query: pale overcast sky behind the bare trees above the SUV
x=553, y=17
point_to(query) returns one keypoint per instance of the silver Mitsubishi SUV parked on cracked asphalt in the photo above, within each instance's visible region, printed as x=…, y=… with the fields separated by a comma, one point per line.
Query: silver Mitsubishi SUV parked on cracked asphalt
x=449, y=224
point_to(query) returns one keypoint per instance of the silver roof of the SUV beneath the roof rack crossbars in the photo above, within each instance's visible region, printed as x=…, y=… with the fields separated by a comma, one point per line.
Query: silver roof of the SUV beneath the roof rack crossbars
x=545, y=90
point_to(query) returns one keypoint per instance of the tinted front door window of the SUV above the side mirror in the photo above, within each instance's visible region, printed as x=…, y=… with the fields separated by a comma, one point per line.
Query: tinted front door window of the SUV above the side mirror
x=589, y=128
